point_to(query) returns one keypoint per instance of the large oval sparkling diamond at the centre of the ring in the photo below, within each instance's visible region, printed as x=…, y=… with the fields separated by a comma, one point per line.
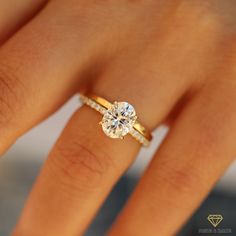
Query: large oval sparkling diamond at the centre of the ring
x=118, y=119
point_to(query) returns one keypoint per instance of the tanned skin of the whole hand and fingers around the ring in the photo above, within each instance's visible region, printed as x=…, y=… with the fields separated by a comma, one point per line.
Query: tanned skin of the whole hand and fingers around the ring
x=178, y=60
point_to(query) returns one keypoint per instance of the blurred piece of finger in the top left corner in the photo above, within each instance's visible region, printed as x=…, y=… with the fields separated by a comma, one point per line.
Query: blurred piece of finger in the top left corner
x=14, y=14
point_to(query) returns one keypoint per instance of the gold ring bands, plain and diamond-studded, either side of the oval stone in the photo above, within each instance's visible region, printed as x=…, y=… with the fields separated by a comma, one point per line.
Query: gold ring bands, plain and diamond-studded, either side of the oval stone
x=139, y=132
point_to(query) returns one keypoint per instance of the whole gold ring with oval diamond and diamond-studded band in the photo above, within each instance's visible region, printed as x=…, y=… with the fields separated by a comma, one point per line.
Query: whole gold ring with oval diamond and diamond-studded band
x=119, y=119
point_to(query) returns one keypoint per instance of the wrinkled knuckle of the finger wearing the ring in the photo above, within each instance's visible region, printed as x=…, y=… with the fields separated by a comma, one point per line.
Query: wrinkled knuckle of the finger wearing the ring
x=77, y=164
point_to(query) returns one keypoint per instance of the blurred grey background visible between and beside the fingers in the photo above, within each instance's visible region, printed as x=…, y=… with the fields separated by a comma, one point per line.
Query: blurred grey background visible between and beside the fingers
x=21, y=164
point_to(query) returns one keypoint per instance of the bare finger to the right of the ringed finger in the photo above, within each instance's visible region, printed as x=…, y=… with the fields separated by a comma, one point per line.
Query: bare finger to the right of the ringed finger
x=196, y=153
